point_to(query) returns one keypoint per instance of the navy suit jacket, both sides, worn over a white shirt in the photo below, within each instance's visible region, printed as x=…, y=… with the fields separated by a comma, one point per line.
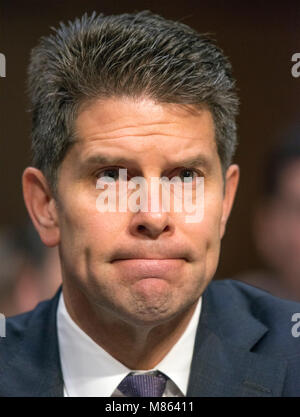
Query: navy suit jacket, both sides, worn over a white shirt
x=244, y=347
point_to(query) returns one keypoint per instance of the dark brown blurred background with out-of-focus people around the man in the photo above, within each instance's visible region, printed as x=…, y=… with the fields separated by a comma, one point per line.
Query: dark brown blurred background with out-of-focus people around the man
x=262, y=242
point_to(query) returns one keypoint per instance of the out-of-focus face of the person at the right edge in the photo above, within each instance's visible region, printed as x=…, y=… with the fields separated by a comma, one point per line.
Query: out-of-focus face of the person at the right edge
x=277, y=225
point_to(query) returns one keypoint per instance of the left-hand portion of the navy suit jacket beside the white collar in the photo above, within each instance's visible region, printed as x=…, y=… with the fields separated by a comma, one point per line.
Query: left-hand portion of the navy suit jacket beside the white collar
x=29, y=352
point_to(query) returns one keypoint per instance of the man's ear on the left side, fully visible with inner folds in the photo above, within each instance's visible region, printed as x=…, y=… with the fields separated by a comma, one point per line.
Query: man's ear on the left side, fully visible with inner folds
x=41, y=205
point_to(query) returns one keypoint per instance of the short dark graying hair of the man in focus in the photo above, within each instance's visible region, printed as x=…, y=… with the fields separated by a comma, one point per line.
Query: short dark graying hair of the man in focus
x=140, y=54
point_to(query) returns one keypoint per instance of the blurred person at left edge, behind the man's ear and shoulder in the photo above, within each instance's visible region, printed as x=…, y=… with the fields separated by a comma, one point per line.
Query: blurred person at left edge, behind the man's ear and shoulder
x=30, y=272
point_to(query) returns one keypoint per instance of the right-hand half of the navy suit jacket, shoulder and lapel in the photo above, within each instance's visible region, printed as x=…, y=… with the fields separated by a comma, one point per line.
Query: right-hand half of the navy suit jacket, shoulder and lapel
x=244, y=344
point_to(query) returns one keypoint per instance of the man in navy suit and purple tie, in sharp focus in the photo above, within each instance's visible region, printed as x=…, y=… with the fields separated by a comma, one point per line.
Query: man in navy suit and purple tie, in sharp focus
x=136, y=315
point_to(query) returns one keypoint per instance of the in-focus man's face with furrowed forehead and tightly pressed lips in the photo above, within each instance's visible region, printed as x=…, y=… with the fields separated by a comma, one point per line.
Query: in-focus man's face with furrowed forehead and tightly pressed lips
x=142, y=267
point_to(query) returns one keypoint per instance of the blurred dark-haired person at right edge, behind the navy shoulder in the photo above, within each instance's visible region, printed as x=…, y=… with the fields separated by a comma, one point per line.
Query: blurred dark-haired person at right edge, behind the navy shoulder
x=277, y=220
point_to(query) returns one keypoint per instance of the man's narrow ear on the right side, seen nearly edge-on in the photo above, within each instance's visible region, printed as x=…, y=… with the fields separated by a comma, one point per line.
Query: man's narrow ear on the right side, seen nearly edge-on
x=231, y=183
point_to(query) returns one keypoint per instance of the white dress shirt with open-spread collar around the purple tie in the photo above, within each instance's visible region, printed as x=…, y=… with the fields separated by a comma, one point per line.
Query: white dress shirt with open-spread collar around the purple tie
x=89, y=371
